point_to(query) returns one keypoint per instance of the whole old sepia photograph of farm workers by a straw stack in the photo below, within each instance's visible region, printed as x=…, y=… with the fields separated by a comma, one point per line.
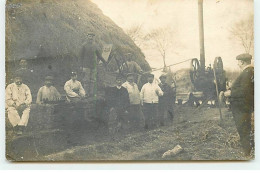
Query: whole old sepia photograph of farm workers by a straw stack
x=129, y=80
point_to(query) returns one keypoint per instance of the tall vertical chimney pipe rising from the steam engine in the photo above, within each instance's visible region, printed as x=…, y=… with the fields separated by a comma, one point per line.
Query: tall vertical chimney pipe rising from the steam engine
x=201, y=34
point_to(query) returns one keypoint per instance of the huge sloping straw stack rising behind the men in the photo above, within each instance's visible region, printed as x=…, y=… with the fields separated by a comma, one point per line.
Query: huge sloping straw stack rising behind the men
x=55, y=28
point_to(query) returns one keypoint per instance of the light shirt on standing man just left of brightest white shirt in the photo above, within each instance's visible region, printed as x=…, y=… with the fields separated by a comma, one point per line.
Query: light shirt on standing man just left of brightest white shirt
x=133, y=91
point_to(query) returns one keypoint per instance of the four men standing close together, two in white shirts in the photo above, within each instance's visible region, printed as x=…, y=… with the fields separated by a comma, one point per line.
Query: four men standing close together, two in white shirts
x=154, y=103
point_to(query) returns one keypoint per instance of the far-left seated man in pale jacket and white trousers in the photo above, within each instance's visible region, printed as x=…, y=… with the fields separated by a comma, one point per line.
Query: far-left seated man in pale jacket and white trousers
x=18, y=99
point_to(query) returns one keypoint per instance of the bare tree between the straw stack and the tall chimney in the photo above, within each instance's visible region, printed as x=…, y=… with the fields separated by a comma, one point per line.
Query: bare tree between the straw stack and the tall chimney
x=161, y=40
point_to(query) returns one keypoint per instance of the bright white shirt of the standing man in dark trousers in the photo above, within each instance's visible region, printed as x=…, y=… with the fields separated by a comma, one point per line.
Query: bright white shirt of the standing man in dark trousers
x=148, y=93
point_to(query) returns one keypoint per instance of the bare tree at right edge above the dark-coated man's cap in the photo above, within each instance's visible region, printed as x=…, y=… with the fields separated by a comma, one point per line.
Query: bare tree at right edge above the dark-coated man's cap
x=243, y=31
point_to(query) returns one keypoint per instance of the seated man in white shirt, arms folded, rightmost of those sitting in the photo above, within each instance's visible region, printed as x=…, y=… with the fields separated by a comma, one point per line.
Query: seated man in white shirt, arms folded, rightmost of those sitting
x=74, y=89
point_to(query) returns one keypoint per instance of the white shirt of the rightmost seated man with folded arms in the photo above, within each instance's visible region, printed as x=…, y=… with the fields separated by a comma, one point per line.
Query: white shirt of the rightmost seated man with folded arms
x=70, y=87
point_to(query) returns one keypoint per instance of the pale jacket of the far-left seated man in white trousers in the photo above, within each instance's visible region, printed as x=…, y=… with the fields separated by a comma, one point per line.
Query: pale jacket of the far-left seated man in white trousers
x=18, y=95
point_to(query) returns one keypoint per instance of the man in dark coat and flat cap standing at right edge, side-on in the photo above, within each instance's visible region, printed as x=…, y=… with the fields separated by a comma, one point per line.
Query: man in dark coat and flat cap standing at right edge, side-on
x=242, y=102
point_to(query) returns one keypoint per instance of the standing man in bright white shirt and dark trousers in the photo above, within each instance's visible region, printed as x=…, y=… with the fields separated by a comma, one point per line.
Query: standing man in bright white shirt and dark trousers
x=150, y=93
